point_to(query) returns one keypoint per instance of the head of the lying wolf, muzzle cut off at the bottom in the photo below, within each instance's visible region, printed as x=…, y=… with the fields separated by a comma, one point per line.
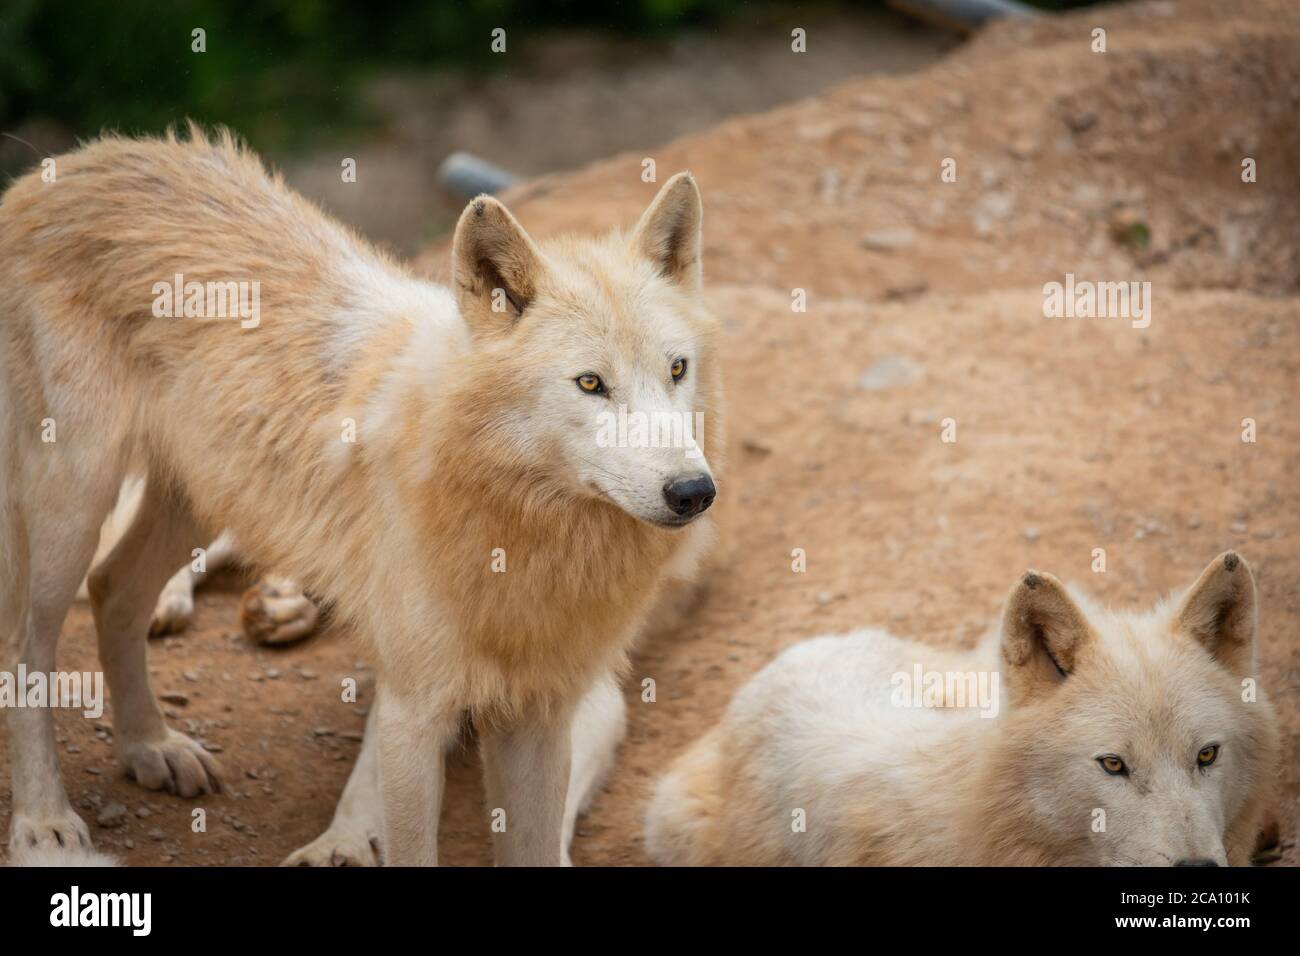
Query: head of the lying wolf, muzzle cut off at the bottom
x=1138, y=739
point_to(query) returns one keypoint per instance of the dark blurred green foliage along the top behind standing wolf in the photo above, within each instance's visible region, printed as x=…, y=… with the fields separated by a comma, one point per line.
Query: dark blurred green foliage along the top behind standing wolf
x=281, y=66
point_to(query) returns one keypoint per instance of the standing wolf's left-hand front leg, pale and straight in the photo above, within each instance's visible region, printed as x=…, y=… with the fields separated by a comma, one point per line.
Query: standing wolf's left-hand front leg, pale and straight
x=413, y=741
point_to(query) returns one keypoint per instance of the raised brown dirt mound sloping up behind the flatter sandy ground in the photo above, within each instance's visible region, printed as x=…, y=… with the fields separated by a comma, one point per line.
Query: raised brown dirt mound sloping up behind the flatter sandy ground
x=1059, y=152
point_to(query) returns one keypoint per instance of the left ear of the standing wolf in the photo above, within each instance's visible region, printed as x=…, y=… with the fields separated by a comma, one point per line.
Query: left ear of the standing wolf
x=495, y=267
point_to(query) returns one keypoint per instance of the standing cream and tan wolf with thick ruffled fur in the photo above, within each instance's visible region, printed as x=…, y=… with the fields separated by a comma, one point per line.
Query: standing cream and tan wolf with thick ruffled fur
x=426, y=458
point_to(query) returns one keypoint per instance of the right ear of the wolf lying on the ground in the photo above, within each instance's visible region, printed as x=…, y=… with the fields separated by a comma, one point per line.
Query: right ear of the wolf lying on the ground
x=1220, y=612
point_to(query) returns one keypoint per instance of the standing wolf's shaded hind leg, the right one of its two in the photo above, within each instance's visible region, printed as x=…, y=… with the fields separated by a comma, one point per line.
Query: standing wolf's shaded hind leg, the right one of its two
x=123, y=590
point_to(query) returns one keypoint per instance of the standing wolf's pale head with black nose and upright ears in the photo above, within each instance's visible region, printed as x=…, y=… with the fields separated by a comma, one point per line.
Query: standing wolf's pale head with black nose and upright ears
x=596, y=357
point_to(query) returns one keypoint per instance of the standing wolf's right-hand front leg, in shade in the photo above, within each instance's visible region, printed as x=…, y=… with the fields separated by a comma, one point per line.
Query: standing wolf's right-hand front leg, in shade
x=527, y=777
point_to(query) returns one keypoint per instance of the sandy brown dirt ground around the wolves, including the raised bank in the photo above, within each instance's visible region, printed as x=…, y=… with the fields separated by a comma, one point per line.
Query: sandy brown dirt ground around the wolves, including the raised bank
x=924, y=304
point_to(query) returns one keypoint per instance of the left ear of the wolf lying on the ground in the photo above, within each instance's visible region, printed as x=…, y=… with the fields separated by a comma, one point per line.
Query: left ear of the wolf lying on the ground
x=1043, y=633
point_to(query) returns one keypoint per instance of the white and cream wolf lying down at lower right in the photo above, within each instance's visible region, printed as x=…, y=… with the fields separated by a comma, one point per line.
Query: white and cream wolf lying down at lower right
x=818, y=739
